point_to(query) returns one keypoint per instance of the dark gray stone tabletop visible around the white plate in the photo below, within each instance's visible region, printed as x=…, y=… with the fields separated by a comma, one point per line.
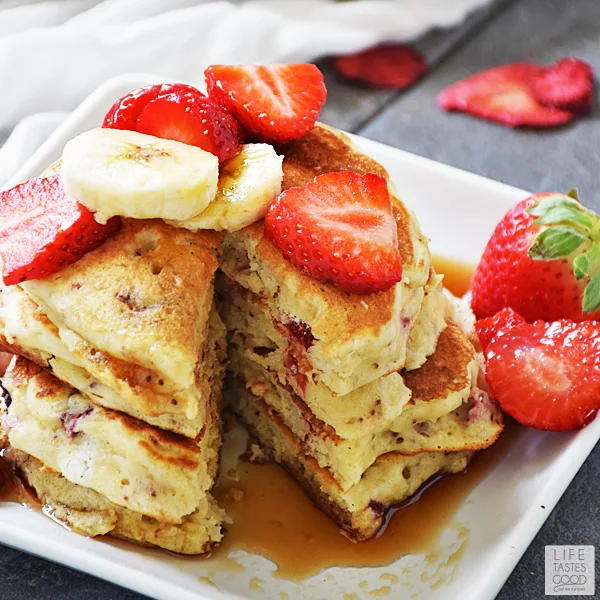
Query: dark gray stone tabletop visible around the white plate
x=542, y=30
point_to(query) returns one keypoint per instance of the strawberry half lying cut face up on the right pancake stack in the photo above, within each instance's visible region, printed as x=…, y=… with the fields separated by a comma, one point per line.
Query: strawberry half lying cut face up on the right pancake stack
x=339, y=228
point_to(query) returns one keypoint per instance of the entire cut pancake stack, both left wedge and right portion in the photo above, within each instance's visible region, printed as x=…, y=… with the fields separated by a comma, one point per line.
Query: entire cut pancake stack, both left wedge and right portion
x=113, y=407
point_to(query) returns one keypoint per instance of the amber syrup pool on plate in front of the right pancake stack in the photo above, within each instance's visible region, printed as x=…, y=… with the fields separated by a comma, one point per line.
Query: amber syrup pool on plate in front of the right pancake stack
x=275, y=519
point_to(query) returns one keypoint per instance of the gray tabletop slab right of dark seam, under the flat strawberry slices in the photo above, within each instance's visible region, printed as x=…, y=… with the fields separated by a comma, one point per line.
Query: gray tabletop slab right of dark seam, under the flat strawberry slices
x=558, y=159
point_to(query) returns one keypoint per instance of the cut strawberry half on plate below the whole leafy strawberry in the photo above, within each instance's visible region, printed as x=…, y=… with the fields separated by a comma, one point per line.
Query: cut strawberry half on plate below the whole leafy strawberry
x=547, y=375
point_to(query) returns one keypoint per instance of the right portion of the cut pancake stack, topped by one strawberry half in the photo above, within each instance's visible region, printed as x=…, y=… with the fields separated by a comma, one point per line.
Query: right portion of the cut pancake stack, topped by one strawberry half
x=361, y=398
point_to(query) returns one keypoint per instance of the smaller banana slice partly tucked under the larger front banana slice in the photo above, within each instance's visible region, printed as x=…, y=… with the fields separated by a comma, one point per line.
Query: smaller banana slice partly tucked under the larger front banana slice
x=248, y=183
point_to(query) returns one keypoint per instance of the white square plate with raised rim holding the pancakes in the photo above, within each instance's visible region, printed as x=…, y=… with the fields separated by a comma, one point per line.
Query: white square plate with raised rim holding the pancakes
x=502, y=514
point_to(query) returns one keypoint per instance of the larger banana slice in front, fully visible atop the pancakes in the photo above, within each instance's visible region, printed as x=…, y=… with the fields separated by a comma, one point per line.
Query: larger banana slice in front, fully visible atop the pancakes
x=116, y=172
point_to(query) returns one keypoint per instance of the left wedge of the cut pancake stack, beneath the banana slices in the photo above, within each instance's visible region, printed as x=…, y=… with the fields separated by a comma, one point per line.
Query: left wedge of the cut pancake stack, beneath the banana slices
x=114, y=400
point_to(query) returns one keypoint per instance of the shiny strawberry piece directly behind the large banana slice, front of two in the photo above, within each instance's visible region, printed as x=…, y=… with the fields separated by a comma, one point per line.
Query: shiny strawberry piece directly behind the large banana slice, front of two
x=193, y=119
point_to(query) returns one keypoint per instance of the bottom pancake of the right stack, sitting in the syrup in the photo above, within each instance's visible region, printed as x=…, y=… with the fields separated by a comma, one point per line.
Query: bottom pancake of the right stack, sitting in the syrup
x=359, y=511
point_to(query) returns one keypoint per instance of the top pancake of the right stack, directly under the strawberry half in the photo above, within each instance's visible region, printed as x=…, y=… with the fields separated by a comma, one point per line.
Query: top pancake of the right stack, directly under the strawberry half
x=346, y=340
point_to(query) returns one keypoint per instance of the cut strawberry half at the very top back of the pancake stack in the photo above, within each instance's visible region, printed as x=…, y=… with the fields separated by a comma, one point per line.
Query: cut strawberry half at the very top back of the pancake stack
x=274, y=103
